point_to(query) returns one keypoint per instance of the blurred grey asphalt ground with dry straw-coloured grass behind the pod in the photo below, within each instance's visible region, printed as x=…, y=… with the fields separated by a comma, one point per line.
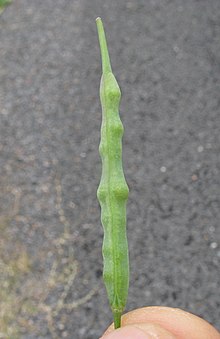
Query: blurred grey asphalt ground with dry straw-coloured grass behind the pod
x=165, y=55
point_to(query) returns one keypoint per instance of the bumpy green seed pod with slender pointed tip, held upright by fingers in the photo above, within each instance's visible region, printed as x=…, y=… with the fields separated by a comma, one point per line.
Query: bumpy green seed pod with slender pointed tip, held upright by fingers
x=113, y=190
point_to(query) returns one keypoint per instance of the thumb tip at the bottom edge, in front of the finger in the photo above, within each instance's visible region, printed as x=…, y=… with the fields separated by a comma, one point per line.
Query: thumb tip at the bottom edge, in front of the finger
x=140, y=331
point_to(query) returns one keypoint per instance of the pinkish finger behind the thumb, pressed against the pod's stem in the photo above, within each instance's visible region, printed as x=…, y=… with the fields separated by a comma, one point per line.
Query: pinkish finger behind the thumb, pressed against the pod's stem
x=178, y=322
